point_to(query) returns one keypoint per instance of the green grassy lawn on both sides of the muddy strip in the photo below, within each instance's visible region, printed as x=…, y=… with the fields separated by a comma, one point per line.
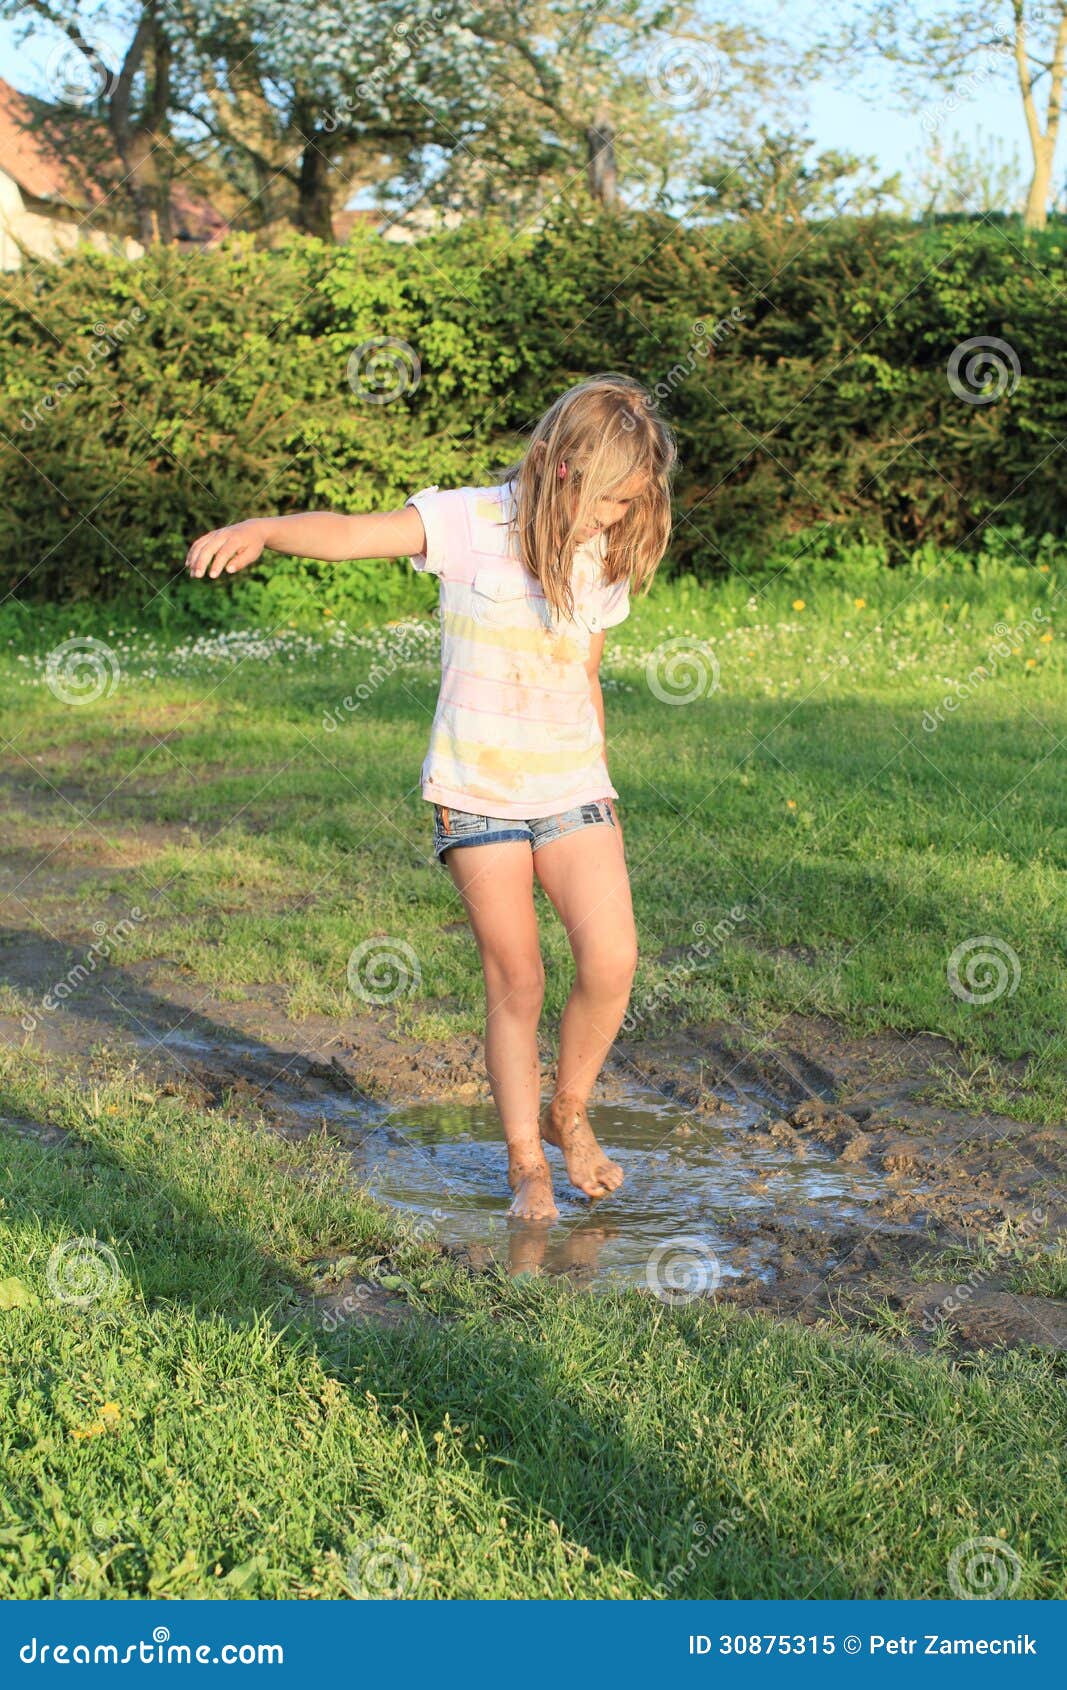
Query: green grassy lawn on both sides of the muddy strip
x=189, y=1436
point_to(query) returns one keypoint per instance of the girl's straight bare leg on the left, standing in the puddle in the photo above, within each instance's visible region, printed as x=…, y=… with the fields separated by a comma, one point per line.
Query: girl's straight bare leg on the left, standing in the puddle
x=496, y=886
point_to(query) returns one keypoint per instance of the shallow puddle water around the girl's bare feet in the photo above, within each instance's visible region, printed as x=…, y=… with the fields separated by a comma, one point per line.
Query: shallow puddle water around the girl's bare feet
x=684, y=1213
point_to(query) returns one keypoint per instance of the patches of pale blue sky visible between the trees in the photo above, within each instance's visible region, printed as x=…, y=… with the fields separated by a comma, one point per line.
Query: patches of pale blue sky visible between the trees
x=865, y=121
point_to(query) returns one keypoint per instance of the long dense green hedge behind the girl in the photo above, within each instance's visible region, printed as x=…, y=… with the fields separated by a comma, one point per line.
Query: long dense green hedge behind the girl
x=804, y=371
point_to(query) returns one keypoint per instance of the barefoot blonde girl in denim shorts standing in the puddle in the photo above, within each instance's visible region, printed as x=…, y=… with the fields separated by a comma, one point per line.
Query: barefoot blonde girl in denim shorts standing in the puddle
x=532, y=569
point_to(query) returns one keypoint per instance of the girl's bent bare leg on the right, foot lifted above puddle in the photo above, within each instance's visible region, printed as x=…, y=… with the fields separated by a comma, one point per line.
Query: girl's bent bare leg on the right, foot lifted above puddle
x=586, y=878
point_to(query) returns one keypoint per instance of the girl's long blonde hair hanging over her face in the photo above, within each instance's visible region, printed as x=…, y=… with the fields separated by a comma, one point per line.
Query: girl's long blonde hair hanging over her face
x=606, y=432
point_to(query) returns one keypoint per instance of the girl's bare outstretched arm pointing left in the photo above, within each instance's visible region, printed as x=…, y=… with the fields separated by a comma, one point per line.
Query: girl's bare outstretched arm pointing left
x=327, y=535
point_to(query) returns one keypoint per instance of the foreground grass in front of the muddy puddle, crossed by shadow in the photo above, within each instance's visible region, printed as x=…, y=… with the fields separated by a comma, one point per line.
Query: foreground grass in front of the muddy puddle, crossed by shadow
x=183, y=1437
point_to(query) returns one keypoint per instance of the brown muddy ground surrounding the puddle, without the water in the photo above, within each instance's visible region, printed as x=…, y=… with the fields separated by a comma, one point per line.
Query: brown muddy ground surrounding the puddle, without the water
x=948, y=1179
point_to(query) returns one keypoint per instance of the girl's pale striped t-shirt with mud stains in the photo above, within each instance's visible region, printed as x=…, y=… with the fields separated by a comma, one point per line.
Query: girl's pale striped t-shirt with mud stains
x=515, y=733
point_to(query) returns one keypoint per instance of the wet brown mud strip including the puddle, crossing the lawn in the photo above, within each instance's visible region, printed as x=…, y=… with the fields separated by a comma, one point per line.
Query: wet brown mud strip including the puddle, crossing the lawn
x=834, y=1180
